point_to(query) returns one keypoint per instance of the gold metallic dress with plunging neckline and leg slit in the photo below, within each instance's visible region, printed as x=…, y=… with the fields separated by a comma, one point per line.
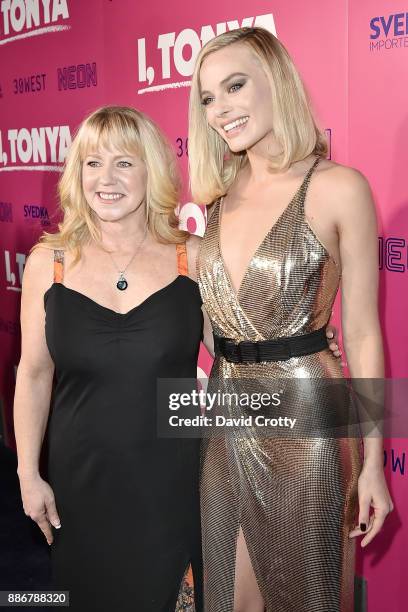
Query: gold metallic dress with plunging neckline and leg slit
x=295, y=499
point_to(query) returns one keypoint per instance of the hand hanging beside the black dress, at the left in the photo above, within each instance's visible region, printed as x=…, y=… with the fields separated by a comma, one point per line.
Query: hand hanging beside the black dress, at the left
x=39, y=504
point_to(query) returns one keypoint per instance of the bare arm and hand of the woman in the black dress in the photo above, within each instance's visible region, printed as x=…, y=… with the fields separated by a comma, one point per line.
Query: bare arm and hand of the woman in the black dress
x=33, y=392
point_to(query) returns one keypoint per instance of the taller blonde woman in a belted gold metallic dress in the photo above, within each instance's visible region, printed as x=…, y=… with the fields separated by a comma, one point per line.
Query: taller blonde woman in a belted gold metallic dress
x=278, y=515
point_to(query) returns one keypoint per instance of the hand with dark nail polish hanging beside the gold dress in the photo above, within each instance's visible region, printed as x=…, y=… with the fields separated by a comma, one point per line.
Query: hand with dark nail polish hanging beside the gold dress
x=372, y=491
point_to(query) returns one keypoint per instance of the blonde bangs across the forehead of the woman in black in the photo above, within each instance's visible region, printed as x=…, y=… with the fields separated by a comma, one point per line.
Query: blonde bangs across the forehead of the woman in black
x=111, y=131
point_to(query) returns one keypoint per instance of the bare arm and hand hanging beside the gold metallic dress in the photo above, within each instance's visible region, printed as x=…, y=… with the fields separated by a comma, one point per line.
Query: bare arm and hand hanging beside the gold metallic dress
x=362, y=332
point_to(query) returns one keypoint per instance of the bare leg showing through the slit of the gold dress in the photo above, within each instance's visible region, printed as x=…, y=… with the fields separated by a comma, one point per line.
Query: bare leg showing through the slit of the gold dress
x=247, y=596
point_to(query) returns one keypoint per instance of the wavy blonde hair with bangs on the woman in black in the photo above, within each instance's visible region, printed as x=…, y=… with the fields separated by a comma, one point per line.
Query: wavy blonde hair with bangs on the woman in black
x=131, y=131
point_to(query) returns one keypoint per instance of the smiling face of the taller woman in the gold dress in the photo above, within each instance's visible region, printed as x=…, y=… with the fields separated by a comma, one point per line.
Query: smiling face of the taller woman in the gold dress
x=236, y=96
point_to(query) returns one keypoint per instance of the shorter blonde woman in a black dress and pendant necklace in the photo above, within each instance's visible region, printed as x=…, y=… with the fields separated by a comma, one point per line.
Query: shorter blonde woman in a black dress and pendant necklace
x=109, y=305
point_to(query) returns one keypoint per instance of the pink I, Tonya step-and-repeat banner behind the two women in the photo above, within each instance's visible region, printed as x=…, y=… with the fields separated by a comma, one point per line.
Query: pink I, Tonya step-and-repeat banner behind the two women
x=61, y=59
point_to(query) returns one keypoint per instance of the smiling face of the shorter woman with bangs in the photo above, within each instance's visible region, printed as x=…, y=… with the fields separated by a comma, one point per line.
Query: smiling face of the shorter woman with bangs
x=114, y=183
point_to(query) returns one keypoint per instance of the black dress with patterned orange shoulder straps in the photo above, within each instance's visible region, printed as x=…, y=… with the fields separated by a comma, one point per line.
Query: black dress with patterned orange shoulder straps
x=128, y=499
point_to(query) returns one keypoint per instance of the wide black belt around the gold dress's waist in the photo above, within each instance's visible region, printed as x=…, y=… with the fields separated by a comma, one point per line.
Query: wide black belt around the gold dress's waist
x=270, y=350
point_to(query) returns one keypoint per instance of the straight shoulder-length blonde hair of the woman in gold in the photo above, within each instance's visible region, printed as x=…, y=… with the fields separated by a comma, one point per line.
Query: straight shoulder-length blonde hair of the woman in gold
x=213, y=167
